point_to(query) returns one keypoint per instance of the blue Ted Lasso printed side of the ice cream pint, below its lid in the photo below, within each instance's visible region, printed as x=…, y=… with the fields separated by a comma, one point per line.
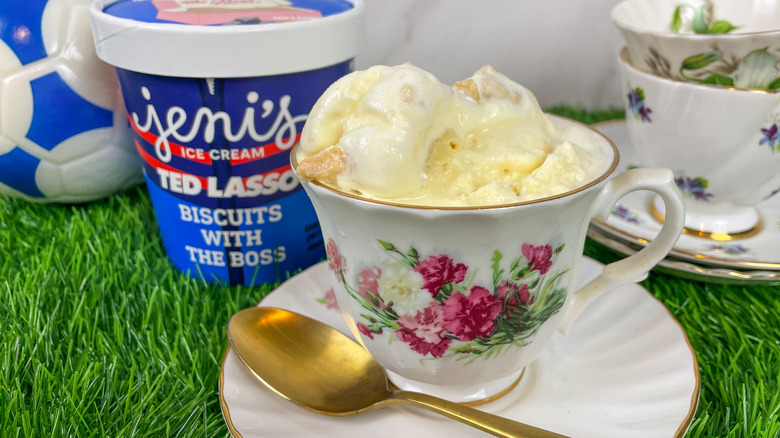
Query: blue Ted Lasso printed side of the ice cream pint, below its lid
x=216, y=158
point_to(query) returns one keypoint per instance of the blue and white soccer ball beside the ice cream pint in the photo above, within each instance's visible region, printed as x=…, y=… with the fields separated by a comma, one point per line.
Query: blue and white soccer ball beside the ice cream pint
x=64, y=133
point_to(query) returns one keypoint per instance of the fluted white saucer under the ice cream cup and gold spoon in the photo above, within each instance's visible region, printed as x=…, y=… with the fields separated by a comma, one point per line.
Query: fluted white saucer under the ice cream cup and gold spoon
x=625, y=370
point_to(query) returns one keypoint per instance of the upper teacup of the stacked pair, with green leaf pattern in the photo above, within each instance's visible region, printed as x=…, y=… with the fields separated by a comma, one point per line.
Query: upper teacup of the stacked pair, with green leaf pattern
x=721, y=42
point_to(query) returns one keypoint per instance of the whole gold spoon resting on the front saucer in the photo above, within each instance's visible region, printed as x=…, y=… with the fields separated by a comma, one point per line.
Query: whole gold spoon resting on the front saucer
x=322, y=370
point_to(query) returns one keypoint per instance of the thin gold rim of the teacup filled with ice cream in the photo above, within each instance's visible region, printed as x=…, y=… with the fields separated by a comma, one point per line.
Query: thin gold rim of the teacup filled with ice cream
x=596, y=181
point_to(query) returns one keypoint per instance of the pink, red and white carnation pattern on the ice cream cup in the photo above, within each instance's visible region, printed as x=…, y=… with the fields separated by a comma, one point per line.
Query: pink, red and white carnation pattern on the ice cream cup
x=433, y=304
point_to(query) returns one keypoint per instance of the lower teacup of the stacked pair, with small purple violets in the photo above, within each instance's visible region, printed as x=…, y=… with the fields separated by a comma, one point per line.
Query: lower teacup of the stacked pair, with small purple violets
x=722, y=144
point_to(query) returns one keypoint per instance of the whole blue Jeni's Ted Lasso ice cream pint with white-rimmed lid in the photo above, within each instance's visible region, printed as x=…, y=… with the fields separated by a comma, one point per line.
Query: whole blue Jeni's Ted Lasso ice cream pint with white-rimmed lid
x=217, y=92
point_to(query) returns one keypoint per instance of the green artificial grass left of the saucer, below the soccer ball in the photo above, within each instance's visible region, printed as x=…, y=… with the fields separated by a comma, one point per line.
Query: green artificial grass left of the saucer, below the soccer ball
x=99, y=336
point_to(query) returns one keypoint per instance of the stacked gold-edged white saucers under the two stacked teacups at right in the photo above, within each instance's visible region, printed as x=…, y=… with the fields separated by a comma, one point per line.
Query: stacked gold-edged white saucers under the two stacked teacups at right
x=632, y=222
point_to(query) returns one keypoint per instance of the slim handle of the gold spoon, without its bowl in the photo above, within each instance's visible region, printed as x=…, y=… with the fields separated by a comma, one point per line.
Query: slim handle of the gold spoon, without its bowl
x=492, y=424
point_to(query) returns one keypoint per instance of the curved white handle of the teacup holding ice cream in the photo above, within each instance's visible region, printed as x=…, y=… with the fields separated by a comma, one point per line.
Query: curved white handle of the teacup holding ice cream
x=635, y=267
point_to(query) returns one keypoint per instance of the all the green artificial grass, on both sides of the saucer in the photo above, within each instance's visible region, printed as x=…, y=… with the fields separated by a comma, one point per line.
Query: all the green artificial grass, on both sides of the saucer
x=100, y=336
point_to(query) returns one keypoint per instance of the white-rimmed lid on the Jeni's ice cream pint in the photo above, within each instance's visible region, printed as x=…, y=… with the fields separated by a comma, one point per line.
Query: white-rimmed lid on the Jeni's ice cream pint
x=226, y=38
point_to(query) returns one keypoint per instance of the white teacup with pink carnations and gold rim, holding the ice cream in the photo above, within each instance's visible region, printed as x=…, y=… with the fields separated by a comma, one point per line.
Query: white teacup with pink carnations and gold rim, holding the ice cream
x=455, y=302
